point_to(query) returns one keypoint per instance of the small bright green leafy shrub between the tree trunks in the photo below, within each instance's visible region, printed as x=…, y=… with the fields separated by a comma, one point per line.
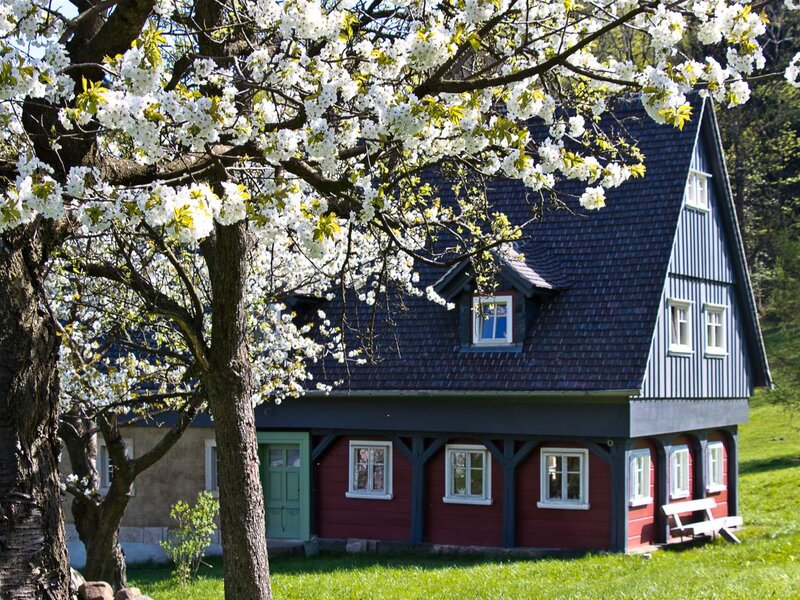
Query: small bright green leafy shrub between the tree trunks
x=188, y=541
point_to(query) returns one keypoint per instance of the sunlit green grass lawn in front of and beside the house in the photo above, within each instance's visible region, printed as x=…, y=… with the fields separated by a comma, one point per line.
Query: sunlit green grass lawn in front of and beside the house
x=765, y=565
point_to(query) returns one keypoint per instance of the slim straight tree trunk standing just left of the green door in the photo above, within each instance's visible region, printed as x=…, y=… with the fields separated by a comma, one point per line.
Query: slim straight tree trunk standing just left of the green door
x=228, y=386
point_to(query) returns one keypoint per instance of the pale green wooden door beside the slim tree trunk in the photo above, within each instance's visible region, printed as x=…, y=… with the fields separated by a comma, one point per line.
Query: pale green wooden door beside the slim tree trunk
x=282, y=489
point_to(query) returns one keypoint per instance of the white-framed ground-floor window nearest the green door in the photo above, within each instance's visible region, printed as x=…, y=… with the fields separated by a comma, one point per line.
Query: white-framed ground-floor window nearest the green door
x=370, y=470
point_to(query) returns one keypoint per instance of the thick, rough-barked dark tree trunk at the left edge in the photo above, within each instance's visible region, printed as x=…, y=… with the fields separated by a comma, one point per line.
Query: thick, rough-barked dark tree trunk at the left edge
x=33, y=550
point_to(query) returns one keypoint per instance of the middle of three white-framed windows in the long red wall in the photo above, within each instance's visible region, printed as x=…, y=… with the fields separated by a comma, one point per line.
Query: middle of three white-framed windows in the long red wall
x=468, y=475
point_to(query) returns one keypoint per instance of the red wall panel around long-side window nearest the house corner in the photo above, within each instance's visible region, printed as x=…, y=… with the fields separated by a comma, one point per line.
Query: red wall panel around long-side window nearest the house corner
x=560, y=528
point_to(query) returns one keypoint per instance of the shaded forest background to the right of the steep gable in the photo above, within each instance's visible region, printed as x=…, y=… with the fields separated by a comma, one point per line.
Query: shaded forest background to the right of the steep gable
x=762, y=146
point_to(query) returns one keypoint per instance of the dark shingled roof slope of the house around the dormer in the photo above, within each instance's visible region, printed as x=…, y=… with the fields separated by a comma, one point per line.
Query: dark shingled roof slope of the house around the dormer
x=593, y=335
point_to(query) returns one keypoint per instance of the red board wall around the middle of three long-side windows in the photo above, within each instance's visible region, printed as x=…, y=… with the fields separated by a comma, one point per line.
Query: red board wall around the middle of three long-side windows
x=462, y=524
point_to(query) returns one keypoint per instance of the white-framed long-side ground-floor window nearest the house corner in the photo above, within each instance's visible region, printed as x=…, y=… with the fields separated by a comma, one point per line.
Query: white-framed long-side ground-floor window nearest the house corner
x=564, y=478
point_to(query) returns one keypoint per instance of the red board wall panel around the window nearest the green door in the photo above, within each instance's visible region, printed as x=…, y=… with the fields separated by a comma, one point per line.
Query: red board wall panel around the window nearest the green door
x=341, y=517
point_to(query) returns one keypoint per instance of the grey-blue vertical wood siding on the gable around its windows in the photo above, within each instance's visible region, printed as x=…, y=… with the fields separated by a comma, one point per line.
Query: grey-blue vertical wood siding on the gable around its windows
x=700, y=270
